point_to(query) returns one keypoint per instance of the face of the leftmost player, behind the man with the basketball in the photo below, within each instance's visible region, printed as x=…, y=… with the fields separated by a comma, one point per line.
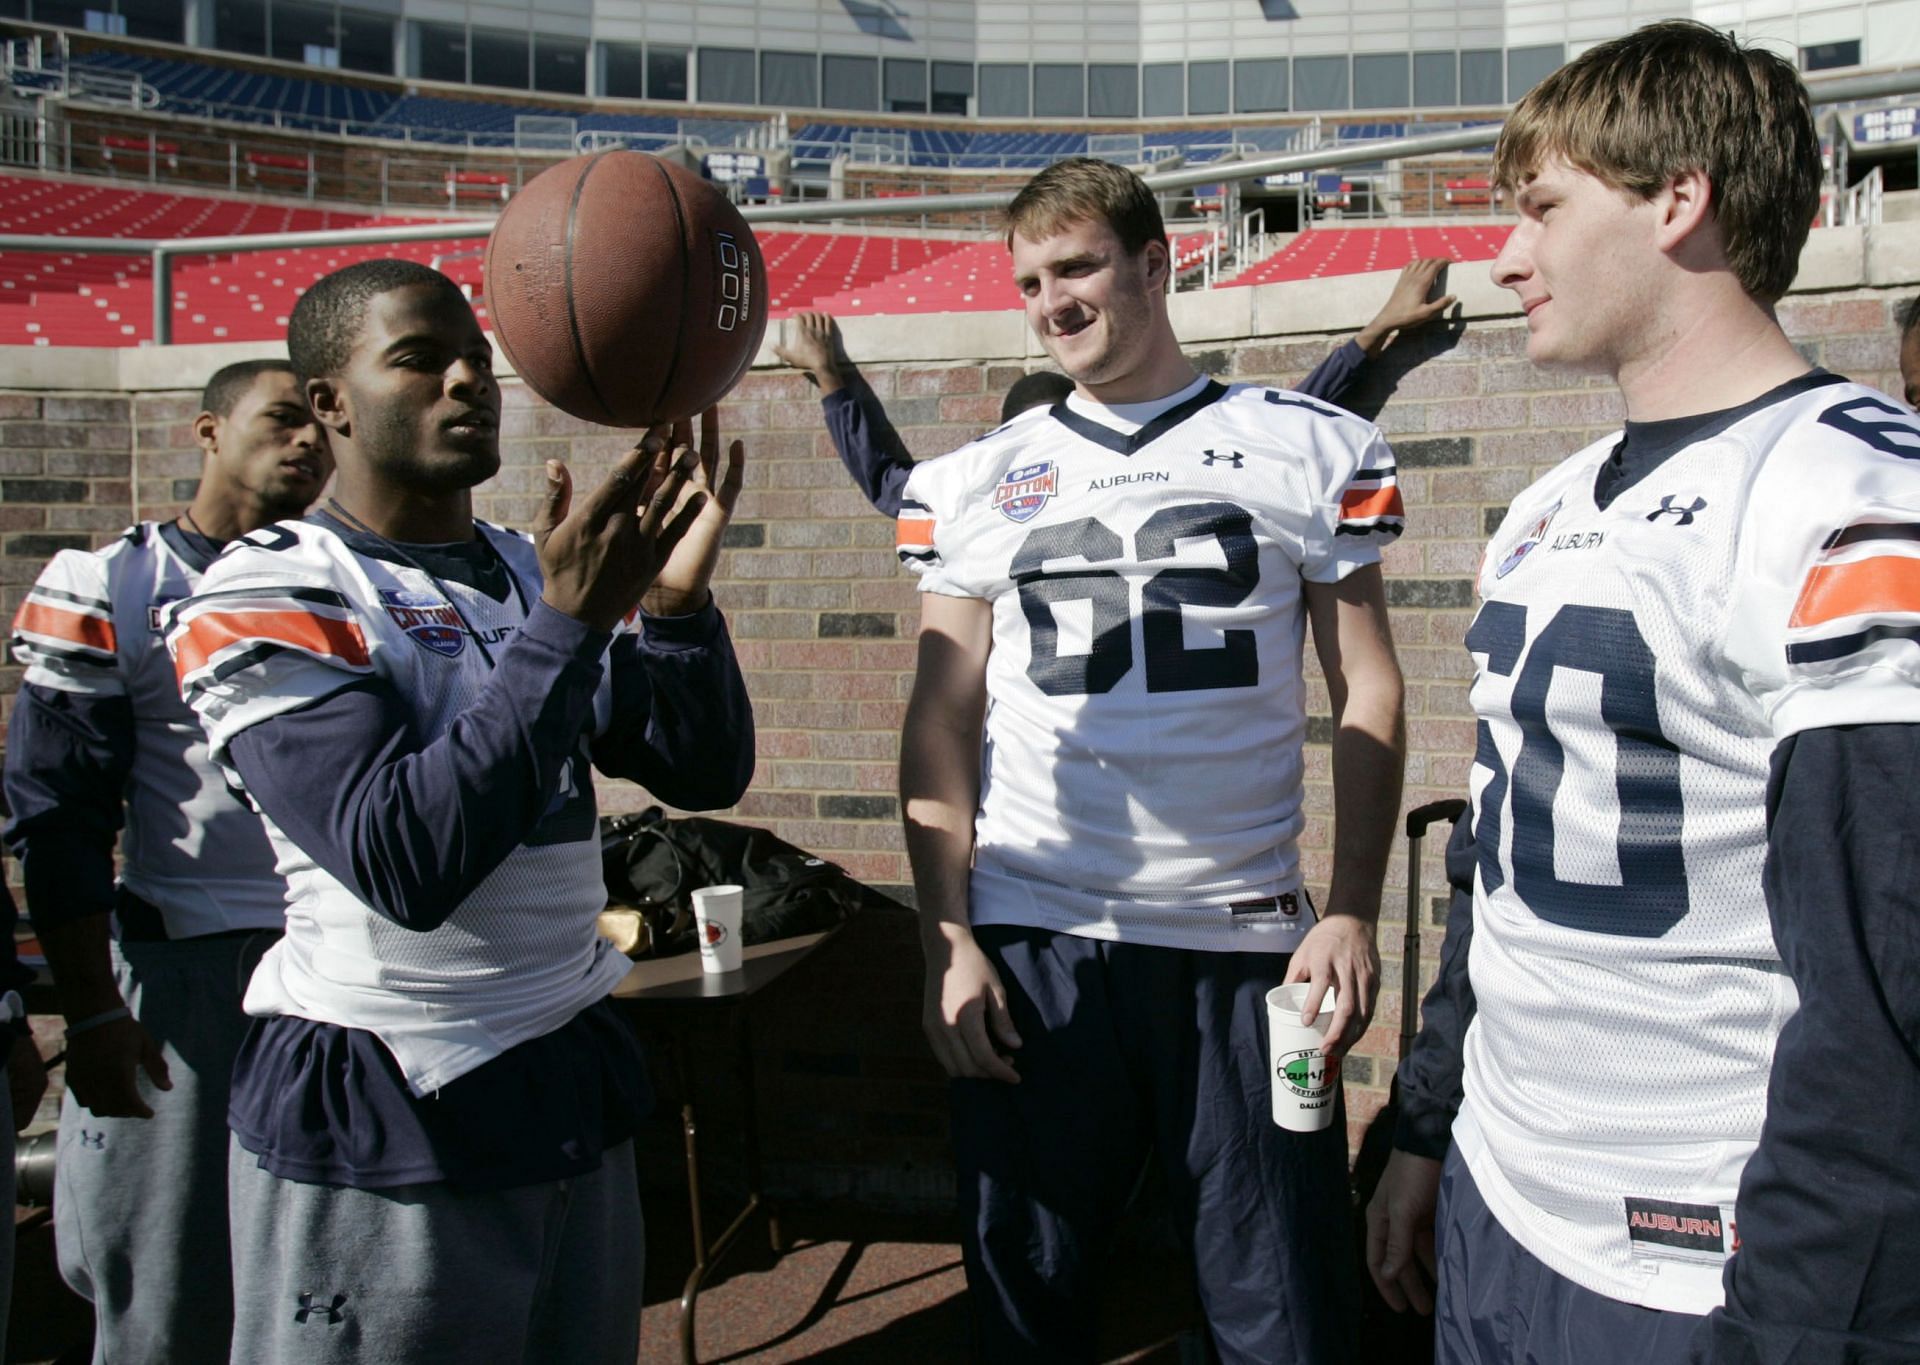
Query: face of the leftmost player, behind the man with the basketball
x=268, y=452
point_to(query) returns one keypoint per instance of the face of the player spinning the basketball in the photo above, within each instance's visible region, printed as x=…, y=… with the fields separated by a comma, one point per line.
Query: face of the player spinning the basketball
x=418, y=406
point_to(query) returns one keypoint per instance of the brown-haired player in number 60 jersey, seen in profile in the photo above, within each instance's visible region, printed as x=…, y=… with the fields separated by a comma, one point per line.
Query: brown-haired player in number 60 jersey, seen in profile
x=1692, y=1099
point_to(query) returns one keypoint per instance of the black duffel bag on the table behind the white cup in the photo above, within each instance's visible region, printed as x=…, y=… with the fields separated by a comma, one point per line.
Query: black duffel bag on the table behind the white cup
x=656, y=865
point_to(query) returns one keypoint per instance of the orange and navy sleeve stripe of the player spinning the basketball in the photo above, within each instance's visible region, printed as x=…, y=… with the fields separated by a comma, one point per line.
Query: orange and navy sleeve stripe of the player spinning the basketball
x=220, y=635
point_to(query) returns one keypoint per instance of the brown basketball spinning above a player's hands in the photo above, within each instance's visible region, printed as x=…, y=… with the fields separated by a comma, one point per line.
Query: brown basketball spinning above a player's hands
x=625, y=291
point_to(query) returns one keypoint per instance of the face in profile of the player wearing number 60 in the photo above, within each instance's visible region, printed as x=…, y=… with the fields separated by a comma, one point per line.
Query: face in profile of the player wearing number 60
x=1583, y=262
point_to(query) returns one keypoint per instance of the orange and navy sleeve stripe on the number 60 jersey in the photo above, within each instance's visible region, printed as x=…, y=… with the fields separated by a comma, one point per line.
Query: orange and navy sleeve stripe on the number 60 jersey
x=1861, y=596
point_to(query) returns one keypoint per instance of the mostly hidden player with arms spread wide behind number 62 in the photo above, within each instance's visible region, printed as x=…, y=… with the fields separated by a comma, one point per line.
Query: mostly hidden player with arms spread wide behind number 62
x=878, y=460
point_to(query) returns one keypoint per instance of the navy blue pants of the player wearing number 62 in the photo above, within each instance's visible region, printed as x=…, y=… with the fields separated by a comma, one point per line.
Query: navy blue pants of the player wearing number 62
x=1132, y=1051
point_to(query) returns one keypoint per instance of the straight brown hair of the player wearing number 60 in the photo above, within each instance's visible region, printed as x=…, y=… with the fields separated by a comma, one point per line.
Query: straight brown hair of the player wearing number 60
x=1681, y=97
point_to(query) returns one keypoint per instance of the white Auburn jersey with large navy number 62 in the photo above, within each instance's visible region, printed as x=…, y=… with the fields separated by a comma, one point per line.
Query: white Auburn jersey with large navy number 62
x=1141, y=765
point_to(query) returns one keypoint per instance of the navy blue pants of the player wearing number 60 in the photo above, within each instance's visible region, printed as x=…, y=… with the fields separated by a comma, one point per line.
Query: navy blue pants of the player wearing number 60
x=1497, y=1305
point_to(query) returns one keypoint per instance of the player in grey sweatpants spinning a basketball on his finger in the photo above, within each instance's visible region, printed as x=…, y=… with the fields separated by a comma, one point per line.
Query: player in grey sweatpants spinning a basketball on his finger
x=435, y=1105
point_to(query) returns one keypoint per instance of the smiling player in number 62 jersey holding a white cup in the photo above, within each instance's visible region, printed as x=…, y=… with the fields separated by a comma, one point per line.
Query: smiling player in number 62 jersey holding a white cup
x=1103, y=790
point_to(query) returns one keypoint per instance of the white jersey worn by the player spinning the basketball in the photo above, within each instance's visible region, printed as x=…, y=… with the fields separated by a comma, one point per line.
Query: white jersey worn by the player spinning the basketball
x=293, y=615
